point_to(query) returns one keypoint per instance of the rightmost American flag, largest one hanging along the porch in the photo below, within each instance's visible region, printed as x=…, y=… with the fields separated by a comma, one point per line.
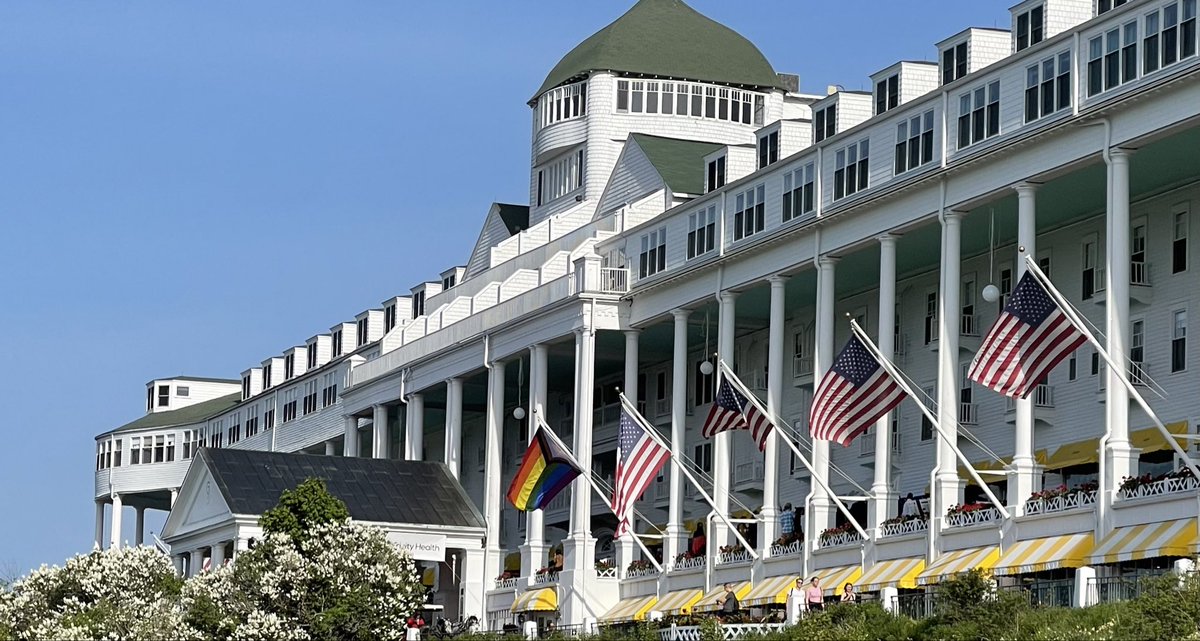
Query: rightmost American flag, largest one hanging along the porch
x=1030, y=338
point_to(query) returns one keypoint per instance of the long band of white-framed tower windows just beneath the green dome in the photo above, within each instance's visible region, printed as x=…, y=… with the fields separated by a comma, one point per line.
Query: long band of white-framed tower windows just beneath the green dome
x=691, y=99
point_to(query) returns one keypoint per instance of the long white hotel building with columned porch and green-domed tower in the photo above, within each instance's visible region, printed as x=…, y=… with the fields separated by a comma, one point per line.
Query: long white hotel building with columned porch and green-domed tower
x=687, y=200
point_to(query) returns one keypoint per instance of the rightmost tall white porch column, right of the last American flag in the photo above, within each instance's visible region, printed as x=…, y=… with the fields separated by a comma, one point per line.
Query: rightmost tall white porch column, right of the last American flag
x=1117, y=398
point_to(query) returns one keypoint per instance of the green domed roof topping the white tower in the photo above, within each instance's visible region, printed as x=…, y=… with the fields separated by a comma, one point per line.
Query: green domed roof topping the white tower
x=670, y=40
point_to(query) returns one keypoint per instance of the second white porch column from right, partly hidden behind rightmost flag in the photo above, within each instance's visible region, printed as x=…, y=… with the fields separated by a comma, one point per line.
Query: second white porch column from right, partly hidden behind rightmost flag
x=1028, y=478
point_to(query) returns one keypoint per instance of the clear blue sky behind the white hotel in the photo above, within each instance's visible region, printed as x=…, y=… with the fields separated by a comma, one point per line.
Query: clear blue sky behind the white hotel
x=190, y=188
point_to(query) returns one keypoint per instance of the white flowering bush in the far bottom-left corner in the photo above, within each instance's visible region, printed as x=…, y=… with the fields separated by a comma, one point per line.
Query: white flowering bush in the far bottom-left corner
x=127, y=594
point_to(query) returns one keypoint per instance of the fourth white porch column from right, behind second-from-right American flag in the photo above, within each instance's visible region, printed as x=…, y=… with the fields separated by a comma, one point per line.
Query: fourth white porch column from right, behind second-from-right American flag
x=883, y=506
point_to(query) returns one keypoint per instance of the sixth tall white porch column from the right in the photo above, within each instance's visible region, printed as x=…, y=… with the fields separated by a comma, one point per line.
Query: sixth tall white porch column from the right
x=770, y=529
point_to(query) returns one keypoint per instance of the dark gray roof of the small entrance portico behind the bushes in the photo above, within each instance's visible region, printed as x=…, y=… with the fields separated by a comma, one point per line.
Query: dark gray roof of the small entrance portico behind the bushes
x=374, y=489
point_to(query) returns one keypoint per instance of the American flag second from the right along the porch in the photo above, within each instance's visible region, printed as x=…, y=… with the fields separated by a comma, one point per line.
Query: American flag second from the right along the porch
x=853, y=396
